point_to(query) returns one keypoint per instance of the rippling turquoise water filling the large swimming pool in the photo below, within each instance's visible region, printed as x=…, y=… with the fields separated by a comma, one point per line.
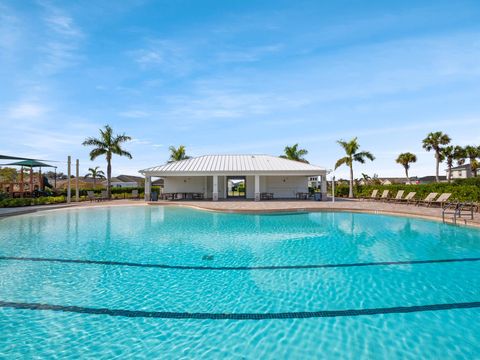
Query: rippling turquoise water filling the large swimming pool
x=178, y=283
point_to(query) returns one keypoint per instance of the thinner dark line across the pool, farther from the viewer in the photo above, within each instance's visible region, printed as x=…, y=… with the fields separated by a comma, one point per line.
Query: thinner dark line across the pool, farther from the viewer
x=236, y=268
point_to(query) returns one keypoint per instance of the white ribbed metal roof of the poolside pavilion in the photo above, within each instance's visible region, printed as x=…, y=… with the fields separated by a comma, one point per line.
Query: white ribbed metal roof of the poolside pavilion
x=233, y=164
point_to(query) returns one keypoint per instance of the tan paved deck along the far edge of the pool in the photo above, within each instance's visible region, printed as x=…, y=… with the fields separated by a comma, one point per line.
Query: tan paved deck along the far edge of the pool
x=373, y=207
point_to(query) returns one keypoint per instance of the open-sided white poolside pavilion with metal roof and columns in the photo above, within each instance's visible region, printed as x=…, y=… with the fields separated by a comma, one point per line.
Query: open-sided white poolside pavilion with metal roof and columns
x=222, y=177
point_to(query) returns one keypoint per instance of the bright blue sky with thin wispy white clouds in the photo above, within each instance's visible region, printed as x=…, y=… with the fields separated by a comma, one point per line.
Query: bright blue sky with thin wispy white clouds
x=239, y=77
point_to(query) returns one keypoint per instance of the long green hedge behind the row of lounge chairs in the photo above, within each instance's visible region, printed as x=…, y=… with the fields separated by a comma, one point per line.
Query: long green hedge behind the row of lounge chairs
x=459, y=191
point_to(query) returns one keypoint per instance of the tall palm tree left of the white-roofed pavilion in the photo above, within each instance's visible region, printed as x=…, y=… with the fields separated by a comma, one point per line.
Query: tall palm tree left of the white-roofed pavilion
x=108, y=144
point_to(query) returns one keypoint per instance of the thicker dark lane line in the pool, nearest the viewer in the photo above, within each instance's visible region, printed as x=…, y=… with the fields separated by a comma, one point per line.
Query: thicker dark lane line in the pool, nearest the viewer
x=239, y=316
